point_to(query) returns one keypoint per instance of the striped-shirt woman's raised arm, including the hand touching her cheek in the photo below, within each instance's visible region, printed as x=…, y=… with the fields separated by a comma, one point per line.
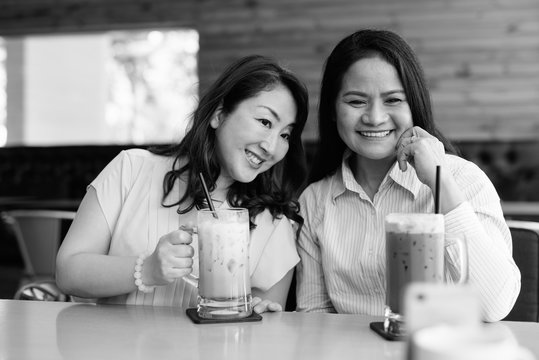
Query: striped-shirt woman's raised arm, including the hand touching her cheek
x=472, y=207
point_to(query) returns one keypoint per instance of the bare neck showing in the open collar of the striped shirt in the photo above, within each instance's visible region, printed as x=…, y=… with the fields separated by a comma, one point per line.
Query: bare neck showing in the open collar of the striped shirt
x=370, y=173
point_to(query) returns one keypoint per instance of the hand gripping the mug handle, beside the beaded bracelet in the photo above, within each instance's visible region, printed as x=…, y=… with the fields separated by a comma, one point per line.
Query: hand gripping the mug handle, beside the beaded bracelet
x=172, y=259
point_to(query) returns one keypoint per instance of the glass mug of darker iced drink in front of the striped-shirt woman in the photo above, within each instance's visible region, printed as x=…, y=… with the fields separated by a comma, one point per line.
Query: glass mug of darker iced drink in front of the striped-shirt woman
x=415, y=248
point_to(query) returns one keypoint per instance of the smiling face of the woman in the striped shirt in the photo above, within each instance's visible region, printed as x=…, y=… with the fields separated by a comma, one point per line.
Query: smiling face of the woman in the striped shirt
x=371, y=109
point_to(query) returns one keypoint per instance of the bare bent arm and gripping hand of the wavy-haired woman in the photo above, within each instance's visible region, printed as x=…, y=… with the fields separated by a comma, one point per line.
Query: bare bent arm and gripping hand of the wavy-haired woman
x=84, y=269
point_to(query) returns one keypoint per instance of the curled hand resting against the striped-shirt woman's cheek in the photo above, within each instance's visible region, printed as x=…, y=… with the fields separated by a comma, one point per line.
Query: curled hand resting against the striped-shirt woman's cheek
x=423, y=151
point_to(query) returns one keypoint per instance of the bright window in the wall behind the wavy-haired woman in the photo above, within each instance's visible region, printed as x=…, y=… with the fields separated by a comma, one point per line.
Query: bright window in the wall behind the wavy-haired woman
x=117, y=87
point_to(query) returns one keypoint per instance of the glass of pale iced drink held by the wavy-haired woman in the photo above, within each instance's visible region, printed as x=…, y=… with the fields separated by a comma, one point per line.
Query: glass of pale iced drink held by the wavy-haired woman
x=224, y=287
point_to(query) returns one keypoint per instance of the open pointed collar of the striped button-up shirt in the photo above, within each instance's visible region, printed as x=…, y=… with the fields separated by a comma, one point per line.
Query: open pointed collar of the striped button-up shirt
x=344, y=179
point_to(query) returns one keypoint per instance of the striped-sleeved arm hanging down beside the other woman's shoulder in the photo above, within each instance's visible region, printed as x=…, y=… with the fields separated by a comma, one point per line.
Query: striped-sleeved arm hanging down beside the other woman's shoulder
x=312, y=294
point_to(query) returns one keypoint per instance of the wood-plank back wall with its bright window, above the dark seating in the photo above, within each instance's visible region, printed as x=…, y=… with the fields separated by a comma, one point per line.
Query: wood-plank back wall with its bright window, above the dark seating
x=72, y=73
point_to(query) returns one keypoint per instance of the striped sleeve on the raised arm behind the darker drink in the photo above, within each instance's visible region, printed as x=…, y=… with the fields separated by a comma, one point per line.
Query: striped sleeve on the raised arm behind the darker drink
x=492, y=270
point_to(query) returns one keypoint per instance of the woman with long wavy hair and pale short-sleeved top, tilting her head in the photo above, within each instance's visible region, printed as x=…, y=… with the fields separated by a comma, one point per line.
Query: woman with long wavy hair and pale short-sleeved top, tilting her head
x=245, y=138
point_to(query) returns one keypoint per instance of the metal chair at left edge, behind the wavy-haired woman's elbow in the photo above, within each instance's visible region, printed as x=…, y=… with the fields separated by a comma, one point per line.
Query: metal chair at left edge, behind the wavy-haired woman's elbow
x=39, y=234
